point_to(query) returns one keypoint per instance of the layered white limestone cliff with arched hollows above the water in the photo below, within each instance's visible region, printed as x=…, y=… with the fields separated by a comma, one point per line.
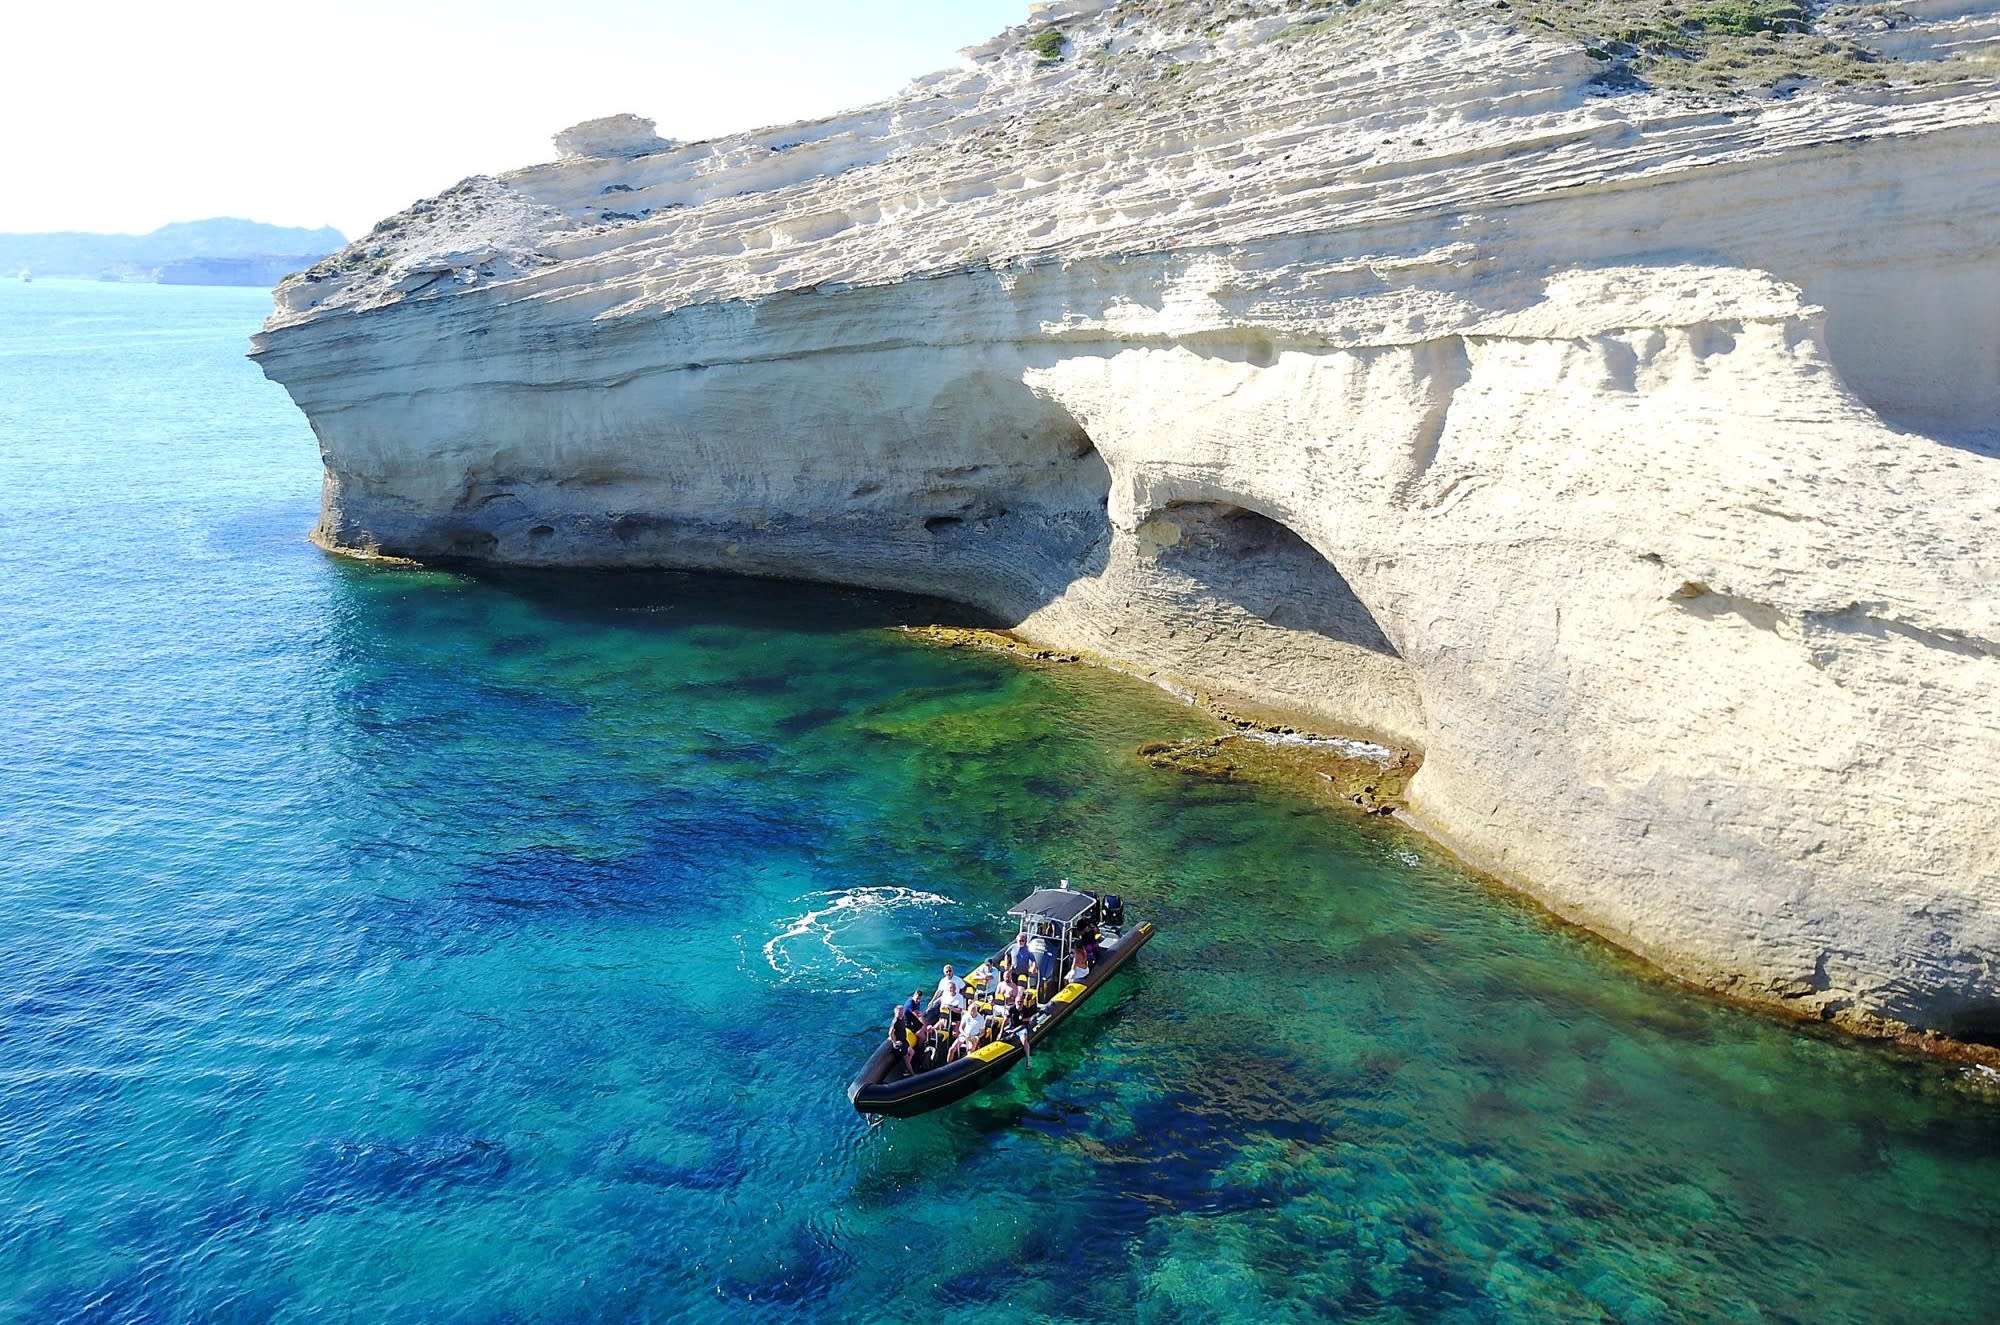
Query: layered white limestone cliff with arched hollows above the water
x=1627, y=451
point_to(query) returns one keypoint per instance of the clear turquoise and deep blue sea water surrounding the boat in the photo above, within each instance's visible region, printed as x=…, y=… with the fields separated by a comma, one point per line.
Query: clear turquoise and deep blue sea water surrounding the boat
x=405, y=946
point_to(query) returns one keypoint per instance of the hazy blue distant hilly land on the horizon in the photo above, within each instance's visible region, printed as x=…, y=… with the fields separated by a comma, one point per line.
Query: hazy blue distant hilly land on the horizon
x=223, y=251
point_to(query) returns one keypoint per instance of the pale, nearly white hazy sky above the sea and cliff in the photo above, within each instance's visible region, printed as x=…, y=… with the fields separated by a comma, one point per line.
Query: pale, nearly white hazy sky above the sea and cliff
x=123, y=117
